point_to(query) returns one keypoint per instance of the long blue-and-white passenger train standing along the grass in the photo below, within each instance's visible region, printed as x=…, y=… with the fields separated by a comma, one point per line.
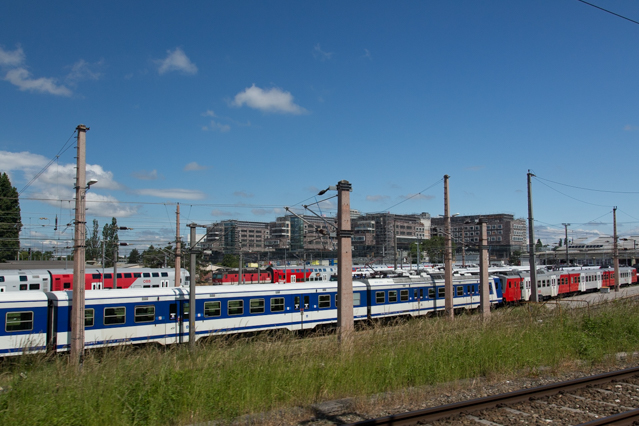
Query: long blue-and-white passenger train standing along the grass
x=32, y=322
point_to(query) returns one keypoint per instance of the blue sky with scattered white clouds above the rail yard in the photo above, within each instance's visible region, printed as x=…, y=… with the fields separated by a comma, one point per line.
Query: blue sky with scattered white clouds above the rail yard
x=237, y=109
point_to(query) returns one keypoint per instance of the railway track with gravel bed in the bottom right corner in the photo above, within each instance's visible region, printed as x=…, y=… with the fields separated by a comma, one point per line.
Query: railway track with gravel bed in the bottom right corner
x=604, y=399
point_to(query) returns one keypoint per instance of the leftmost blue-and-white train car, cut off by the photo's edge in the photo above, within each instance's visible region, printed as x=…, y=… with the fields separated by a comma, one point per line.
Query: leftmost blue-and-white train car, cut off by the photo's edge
x=23, y=322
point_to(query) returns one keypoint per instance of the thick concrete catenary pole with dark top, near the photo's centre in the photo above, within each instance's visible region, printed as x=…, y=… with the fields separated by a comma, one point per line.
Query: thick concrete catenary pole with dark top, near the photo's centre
x=344, y=262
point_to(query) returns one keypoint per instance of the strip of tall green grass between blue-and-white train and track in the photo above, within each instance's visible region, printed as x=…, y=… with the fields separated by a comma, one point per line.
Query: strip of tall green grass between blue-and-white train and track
x=231, y=376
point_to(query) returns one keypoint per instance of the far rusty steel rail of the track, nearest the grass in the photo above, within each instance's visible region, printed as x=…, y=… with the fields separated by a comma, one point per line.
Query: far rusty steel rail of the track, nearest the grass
x=450, y=410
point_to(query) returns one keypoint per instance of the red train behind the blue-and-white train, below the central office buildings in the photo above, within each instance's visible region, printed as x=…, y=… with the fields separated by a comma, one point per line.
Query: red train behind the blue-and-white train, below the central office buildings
x=275, y=275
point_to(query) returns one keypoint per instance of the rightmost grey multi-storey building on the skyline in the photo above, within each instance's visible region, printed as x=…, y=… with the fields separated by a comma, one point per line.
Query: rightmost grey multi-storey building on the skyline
x=505, y=233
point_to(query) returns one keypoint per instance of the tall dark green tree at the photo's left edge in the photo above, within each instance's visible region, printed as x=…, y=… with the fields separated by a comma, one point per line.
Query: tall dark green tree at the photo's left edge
x=10, y=221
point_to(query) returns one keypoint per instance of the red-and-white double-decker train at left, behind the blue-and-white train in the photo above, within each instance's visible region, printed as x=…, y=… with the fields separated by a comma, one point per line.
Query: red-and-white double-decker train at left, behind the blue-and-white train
x=94, y=279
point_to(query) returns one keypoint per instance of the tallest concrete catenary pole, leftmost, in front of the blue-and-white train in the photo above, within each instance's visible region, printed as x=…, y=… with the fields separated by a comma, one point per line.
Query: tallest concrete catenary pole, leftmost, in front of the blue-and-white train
x=77, y=309
